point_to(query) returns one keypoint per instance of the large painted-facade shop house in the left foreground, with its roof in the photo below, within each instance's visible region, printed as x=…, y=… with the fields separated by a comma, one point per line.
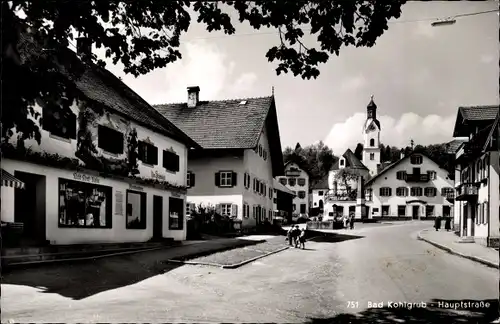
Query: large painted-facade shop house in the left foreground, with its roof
x=108, y=168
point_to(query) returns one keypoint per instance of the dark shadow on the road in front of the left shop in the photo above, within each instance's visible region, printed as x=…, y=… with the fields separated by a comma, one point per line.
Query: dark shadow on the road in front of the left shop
x=83, y=279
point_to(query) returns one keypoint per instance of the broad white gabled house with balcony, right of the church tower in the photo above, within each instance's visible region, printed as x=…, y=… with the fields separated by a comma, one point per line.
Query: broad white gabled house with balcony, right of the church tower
x=414, y=187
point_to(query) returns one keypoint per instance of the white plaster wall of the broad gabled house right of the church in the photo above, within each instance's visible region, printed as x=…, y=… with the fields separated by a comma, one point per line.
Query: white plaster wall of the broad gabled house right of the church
x=389, y=179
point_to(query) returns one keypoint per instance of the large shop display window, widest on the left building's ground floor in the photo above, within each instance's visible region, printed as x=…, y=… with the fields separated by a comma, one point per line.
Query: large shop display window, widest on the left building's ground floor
x=83, y=204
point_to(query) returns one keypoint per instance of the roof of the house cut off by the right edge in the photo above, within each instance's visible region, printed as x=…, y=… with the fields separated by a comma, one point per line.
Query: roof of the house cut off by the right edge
x=473, y=114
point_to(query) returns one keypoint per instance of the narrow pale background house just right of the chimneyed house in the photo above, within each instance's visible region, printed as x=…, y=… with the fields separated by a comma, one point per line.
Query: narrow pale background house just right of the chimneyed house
x=297, y=180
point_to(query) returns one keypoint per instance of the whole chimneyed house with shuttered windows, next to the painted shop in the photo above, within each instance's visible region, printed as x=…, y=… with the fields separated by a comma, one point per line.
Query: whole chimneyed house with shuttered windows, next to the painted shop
x=238, y=157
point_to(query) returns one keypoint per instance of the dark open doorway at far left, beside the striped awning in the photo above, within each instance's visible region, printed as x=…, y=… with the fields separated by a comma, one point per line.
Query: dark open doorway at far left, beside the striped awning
x=29, y=207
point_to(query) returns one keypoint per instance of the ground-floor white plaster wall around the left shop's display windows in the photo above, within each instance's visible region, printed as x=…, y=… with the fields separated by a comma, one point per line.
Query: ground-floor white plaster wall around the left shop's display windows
x=118, y=232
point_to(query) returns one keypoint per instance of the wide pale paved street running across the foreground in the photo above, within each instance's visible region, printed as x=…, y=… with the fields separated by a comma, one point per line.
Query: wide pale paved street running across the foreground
x=330, y=280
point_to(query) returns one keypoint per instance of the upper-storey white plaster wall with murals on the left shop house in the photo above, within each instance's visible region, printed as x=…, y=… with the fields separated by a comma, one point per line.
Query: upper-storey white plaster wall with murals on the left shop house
x=67, y=147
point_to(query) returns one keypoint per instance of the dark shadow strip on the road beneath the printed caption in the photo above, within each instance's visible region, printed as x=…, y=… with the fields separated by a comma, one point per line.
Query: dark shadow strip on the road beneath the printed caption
x=433, y=313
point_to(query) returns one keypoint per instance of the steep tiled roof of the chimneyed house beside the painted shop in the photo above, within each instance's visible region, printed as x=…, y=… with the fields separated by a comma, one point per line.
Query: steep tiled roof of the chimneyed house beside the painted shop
x=230, y=124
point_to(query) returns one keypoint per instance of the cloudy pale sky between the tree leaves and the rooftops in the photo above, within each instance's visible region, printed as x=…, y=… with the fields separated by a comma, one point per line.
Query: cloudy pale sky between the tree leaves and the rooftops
x=418, y=74
